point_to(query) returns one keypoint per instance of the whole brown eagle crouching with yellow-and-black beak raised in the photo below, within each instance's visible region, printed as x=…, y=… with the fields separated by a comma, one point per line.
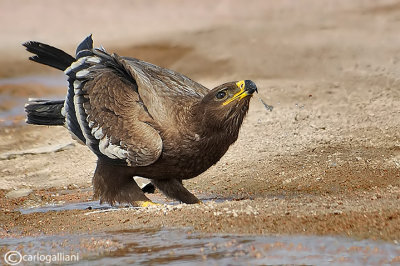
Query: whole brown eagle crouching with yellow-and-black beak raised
x=140, y=120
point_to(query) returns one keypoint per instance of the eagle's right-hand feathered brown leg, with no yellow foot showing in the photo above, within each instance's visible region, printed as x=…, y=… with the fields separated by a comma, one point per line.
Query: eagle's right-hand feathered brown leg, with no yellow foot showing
x=174, y=188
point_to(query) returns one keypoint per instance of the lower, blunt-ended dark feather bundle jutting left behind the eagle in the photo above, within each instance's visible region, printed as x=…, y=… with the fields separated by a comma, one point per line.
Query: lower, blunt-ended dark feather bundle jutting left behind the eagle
x=45, y=112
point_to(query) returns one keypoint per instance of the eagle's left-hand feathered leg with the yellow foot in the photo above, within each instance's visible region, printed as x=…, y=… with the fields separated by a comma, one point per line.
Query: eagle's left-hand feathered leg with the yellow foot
x=115, y=184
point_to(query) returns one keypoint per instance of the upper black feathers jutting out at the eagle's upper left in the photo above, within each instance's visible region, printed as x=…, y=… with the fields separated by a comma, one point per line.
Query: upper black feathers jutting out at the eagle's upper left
x=49, y=55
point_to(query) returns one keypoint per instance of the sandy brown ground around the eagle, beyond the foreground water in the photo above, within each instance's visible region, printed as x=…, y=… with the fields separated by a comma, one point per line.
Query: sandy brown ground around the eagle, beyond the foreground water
x=325, y=161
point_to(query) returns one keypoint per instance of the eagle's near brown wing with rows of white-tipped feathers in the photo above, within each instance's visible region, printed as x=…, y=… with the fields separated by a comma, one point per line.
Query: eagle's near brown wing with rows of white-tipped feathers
x=105, y=110
